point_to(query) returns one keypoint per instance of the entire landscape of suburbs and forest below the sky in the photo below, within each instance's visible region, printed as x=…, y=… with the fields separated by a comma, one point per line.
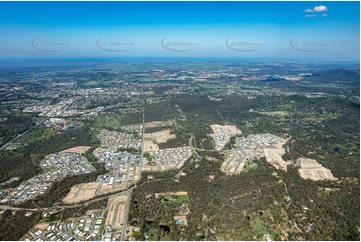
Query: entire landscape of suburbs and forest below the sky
x=173, y=149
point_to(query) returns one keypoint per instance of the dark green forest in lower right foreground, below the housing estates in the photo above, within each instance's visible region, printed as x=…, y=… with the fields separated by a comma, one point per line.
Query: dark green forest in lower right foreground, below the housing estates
x=246, y=207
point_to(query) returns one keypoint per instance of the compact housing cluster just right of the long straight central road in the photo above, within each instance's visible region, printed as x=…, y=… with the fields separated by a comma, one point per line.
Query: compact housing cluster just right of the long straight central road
x=171, y=156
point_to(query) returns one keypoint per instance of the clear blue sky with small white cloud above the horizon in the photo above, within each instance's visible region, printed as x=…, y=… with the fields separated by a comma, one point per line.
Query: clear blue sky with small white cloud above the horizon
x=328, y=30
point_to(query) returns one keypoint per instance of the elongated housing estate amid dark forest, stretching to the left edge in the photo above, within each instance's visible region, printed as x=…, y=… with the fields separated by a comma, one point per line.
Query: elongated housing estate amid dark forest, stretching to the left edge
x=56, y=167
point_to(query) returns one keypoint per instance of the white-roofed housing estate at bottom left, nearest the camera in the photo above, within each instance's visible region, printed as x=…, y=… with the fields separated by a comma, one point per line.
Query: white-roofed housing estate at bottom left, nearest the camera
x=86, y=228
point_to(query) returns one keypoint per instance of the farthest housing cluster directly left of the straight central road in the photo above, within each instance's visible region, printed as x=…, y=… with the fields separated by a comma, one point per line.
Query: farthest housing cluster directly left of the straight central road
x=115, y=140
